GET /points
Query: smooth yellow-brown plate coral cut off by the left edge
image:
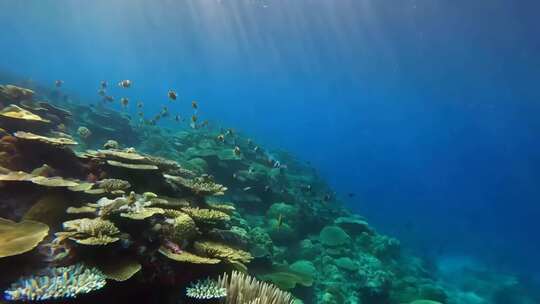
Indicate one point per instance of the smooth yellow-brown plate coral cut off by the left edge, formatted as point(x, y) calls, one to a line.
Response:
point(17, 238)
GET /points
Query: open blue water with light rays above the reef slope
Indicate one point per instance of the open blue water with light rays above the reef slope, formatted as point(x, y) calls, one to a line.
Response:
point(427, 110)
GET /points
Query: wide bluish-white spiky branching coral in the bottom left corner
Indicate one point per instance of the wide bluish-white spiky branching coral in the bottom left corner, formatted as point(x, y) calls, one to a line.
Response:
point(57, 283)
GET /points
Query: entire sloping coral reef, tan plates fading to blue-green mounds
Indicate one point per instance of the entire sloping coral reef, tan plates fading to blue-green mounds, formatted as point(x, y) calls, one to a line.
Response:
point(180, 206)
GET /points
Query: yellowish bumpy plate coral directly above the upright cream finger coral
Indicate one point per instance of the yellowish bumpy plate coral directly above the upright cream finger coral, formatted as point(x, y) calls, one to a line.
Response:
point(222, 252)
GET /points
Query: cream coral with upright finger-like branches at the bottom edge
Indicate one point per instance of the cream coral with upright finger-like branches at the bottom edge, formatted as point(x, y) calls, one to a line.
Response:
point(244, 289)
